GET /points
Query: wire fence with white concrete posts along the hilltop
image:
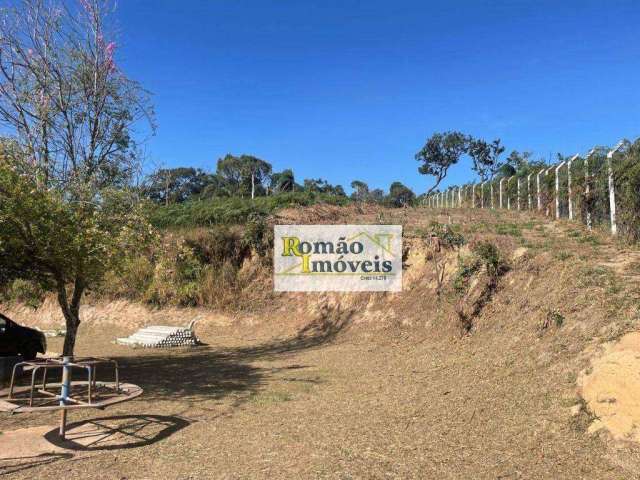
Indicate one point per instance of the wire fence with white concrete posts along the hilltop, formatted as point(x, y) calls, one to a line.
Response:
point(601, 189)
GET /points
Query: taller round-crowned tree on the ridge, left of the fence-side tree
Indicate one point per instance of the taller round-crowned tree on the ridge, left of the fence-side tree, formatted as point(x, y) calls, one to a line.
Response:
point(441, 152)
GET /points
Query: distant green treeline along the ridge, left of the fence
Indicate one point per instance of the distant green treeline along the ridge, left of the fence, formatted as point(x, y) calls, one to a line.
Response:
point(245, 185)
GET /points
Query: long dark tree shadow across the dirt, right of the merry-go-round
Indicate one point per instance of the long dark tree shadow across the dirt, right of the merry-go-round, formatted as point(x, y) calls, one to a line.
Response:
point(207, 373)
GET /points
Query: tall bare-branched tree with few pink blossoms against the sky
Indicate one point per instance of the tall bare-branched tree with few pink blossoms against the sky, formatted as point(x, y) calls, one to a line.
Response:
point(70, 107)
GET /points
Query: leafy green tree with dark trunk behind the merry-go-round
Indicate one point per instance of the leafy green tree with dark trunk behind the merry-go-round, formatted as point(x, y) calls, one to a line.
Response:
point(63, 245)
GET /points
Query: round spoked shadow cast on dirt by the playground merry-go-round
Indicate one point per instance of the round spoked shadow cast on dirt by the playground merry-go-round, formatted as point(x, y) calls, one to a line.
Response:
point(117, 432)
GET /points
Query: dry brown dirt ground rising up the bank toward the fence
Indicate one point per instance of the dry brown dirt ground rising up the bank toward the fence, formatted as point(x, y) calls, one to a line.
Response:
point(391, 390)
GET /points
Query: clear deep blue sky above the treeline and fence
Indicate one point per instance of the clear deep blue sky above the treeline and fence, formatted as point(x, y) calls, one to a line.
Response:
point(349, 90)
